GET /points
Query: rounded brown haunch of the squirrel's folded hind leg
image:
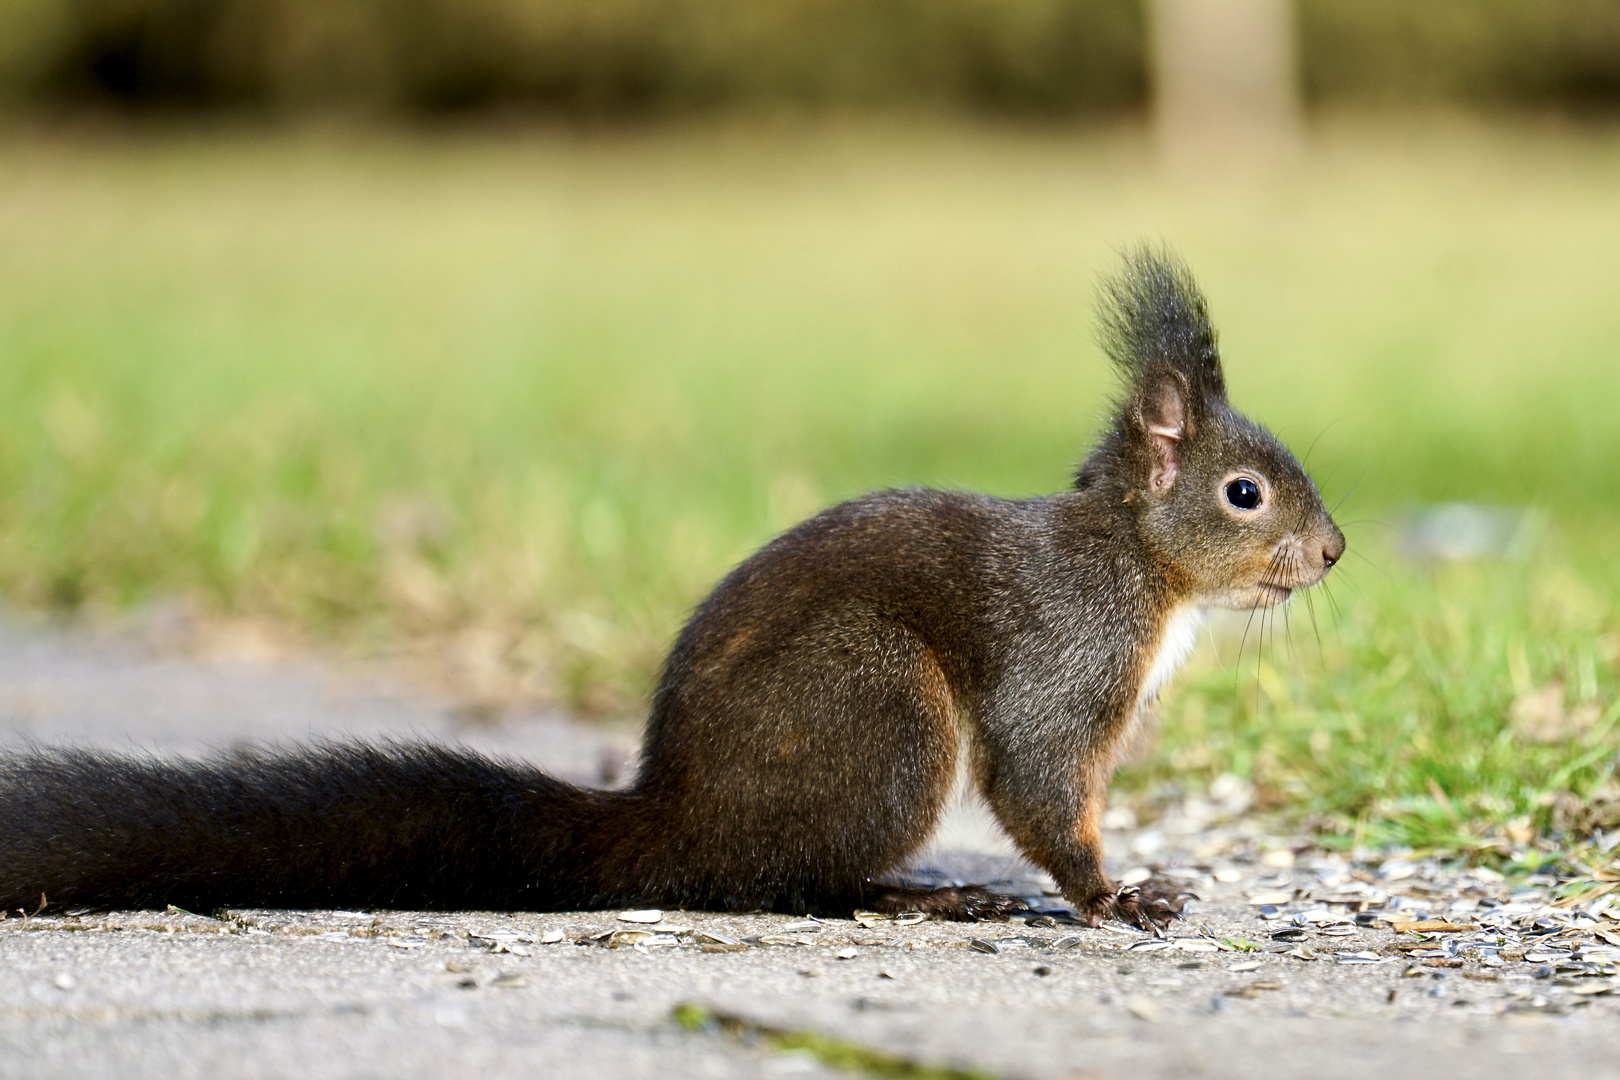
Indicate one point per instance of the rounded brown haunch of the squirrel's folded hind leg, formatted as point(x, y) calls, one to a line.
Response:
point(798, 788)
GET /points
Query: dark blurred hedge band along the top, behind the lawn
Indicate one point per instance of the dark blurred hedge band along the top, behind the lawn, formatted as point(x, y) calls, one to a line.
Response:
point(647, 56)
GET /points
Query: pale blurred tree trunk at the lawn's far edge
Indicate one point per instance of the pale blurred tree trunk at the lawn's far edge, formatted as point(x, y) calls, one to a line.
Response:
point(1226, 80)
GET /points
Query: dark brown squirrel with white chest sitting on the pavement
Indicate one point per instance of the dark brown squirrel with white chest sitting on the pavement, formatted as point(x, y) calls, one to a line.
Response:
point(809, 725)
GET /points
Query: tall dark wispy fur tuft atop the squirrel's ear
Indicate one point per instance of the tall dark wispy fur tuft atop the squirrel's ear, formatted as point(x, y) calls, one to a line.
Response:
point(1153, 317)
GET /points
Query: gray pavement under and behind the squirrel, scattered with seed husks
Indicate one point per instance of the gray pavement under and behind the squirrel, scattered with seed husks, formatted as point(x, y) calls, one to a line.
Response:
point(409, 995)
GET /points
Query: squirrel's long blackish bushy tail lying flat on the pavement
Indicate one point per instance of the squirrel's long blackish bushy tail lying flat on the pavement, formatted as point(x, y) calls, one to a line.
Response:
point(401, 827)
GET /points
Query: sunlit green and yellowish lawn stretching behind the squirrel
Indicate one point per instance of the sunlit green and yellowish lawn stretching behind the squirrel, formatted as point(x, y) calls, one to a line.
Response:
point(516, 401)
